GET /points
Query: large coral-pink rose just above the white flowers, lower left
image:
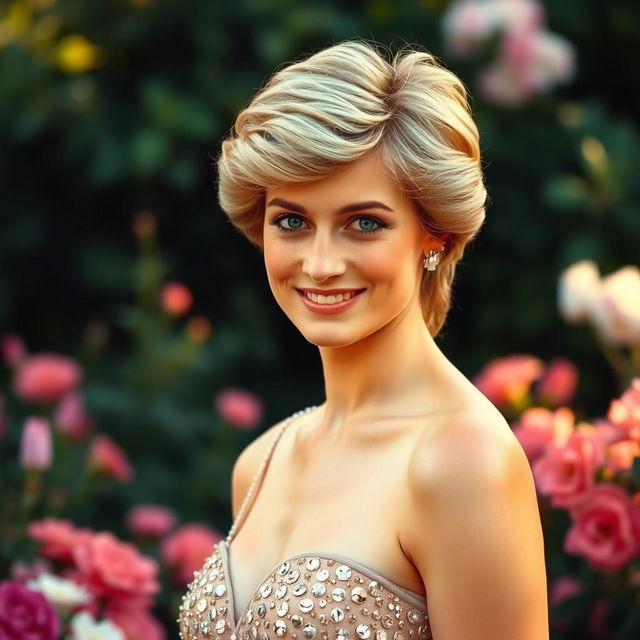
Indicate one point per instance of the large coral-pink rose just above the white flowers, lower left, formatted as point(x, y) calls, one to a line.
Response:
point(114, 568)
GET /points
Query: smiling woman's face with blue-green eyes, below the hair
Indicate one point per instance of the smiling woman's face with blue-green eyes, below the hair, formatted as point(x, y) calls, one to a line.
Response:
point(353, 232)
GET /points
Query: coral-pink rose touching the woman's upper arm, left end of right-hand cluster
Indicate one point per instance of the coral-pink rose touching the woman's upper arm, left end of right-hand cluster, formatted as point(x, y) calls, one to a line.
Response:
point(538, 427)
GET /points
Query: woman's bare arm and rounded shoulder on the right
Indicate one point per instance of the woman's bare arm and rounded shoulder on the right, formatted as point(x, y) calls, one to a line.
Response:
point(477, 537)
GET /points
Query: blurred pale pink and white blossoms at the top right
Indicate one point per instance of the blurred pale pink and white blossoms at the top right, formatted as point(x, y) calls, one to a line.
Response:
point(529, 58)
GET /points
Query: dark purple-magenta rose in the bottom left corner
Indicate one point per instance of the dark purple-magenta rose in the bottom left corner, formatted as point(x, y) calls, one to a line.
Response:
point(26, 614)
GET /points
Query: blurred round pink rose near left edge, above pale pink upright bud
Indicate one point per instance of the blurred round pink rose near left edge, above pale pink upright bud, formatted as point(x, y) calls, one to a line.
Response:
point(46, 377)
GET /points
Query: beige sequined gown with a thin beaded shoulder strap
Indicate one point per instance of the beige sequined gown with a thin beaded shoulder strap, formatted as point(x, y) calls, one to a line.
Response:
point(314, 595)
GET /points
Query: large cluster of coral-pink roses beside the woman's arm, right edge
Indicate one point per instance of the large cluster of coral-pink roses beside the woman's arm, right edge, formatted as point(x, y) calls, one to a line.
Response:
point(585, 468)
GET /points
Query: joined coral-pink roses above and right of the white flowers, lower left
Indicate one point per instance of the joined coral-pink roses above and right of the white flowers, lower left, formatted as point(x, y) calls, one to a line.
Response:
point(120, 580)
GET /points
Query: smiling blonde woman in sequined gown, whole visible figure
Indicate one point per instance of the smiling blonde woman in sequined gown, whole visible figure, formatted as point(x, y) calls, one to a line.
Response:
point(360, 180)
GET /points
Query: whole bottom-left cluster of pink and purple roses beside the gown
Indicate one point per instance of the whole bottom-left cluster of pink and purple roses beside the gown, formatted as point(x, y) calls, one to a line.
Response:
point(116, 581)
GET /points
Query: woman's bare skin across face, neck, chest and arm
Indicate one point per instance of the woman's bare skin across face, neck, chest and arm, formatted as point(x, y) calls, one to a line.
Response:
point(403, 439)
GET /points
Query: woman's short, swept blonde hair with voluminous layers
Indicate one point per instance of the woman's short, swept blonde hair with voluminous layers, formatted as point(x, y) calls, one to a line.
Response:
point(347, 101)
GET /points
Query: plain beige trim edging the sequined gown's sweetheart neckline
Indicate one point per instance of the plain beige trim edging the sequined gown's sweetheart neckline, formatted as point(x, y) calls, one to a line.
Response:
point(225, 551)
